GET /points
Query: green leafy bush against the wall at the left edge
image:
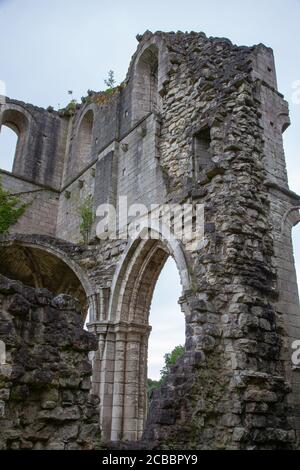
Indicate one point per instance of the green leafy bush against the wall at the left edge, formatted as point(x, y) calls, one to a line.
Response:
point(11, 209)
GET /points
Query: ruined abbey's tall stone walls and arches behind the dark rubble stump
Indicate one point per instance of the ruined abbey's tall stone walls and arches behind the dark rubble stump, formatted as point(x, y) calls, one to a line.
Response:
point(198, 120)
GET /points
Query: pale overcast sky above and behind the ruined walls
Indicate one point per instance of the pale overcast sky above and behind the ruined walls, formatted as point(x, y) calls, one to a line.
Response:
point(51, 46)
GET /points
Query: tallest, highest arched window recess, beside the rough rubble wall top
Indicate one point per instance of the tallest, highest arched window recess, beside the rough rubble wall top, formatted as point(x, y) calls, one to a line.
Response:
point(145, 93)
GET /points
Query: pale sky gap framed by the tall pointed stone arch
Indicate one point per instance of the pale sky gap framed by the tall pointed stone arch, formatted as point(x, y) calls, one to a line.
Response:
point(167, 321)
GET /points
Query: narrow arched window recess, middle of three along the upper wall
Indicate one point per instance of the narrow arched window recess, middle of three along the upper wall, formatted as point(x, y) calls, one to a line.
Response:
point(84, 139)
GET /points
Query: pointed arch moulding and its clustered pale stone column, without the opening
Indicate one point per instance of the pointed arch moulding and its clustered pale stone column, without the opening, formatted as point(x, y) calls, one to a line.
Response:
point(123, 336)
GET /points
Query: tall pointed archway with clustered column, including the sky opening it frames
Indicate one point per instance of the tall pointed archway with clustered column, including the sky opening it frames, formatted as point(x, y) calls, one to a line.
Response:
point(124, 361)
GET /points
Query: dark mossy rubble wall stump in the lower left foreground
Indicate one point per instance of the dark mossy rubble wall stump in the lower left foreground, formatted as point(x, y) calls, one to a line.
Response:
point(45, 382)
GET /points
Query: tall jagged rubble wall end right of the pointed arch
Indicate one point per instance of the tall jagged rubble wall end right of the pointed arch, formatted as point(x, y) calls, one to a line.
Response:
point(232, 387)
